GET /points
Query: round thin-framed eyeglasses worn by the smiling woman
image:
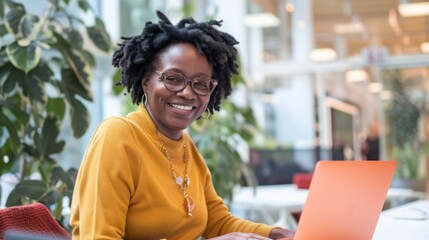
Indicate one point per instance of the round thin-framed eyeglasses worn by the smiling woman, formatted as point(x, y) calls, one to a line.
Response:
point(176, 82)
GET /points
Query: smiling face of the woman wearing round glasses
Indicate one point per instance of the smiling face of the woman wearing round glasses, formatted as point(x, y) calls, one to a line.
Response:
point(173, 111)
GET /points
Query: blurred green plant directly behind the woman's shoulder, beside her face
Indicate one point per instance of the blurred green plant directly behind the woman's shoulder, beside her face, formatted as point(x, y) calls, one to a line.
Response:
point(221, 140)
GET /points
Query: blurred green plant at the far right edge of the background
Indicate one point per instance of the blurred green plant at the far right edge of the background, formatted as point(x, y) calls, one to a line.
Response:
point(403, 115)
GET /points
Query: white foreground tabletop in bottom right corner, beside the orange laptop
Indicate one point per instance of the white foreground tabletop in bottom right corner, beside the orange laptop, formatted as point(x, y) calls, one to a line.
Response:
point(390, 227)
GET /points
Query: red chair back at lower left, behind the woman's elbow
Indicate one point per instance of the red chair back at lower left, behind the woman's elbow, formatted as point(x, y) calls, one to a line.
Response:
point(33, 220)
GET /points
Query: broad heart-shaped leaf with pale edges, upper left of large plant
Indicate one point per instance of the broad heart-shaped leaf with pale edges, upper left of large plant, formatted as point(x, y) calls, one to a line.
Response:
point(24, 58)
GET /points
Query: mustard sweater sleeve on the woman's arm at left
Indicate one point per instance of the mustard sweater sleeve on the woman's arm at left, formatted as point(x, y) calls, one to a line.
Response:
point(105, 182)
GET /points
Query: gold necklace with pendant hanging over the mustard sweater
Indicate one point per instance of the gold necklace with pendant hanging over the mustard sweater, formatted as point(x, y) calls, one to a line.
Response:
point(183, 183)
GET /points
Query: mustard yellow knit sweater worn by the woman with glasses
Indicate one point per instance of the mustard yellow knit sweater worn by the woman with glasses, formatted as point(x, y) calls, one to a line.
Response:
point(125, 188)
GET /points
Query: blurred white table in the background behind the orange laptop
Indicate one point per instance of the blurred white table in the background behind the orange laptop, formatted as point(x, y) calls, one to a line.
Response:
point(273, 204)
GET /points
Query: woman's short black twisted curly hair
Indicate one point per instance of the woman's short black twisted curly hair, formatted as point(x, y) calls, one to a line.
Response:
point(137, 54)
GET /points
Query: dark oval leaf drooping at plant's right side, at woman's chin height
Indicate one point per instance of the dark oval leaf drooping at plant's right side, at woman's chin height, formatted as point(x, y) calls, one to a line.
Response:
point(79, 118)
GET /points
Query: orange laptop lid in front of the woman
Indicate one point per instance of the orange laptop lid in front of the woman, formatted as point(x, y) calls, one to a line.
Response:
point(345, 200)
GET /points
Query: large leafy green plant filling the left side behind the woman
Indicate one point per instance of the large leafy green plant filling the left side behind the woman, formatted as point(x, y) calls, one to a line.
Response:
point(45, 78)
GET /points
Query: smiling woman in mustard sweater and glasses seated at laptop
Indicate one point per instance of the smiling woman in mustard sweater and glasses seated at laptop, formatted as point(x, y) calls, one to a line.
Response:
point(143, 165)
